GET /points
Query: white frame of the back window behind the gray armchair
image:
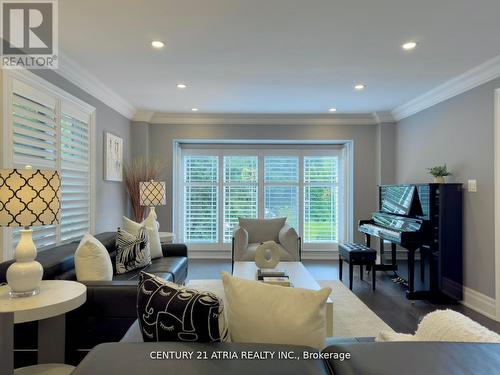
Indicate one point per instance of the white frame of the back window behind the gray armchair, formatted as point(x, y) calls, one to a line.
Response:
point(262, 149)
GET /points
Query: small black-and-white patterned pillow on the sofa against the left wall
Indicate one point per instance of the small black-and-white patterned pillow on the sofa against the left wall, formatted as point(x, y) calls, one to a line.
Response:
point(132, 251)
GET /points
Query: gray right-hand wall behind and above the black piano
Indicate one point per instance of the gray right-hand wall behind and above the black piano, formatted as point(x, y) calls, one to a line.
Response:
point(458, 132)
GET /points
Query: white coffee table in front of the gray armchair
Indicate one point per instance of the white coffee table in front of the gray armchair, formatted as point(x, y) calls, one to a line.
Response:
point(298, 275)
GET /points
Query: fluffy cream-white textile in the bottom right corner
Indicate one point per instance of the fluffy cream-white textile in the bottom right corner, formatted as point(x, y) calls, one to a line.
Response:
point(445, 325)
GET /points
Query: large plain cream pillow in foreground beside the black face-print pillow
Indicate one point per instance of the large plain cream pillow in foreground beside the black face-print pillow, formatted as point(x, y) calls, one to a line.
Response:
point(262, 313)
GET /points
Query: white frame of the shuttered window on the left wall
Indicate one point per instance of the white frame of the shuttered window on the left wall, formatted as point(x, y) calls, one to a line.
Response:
point(30, 79)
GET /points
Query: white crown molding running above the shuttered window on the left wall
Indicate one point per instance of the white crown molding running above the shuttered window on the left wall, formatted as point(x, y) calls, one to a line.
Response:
point(69, 69)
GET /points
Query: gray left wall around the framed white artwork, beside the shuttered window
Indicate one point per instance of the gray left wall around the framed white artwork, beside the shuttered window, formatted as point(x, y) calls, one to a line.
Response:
point(111, 198)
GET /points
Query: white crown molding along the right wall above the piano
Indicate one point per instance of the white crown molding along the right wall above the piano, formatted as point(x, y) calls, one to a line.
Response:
point(462, 83)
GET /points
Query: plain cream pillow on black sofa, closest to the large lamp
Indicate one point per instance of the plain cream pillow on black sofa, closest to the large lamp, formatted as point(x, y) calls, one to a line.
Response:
point(92, 260)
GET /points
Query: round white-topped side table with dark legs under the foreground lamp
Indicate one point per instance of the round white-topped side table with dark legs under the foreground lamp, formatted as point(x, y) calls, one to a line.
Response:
point(56, 298)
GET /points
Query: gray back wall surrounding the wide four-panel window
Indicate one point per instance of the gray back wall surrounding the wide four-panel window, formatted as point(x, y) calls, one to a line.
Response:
point(364, 136)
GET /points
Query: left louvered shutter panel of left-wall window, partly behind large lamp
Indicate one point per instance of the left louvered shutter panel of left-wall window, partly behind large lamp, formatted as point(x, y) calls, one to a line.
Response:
point(35, 142)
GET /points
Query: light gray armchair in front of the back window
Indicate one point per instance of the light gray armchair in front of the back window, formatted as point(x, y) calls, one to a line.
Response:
point(252, 232)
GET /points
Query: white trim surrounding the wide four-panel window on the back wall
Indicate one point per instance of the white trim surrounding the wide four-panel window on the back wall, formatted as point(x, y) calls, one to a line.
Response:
point(259, 148)
